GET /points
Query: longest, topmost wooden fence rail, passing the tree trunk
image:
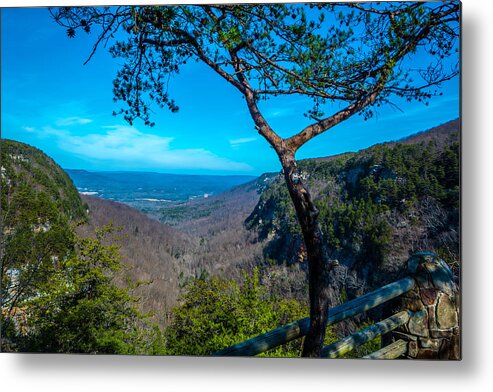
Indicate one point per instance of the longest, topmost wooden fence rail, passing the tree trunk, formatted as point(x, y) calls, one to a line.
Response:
point(297, 329)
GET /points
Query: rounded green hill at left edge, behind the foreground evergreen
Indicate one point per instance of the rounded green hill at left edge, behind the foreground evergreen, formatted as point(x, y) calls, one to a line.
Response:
point(38, 205)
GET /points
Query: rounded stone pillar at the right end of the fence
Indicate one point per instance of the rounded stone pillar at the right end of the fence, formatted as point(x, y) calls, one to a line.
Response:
point(433, 332)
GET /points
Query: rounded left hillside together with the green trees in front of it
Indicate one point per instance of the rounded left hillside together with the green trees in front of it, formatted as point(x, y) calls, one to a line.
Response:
point(58, 291)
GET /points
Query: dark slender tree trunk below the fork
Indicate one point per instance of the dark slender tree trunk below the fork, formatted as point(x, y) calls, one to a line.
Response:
point(318, 263)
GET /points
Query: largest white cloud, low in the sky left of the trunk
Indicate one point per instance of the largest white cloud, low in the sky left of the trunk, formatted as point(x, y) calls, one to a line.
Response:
point(127, 147)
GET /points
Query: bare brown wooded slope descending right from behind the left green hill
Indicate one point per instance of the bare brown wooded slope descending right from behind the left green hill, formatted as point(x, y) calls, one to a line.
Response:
point(153, 252)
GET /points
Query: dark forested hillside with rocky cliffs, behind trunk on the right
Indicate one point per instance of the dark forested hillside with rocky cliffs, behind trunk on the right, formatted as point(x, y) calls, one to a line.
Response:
point(377, 207)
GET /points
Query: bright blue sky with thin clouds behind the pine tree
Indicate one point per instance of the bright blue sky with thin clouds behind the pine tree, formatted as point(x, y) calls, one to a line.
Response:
point(50, 100)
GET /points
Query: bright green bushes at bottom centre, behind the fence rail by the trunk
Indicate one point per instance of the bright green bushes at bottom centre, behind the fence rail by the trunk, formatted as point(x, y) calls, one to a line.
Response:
point(218, 313)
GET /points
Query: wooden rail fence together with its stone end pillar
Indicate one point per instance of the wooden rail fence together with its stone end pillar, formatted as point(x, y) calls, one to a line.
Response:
point(428, 325)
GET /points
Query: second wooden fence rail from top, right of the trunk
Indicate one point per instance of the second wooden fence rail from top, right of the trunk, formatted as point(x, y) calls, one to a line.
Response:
point(363, 336)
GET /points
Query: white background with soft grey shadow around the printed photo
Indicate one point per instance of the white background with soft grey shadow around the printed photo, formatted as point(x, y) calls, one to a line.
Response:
point(88, 373)
